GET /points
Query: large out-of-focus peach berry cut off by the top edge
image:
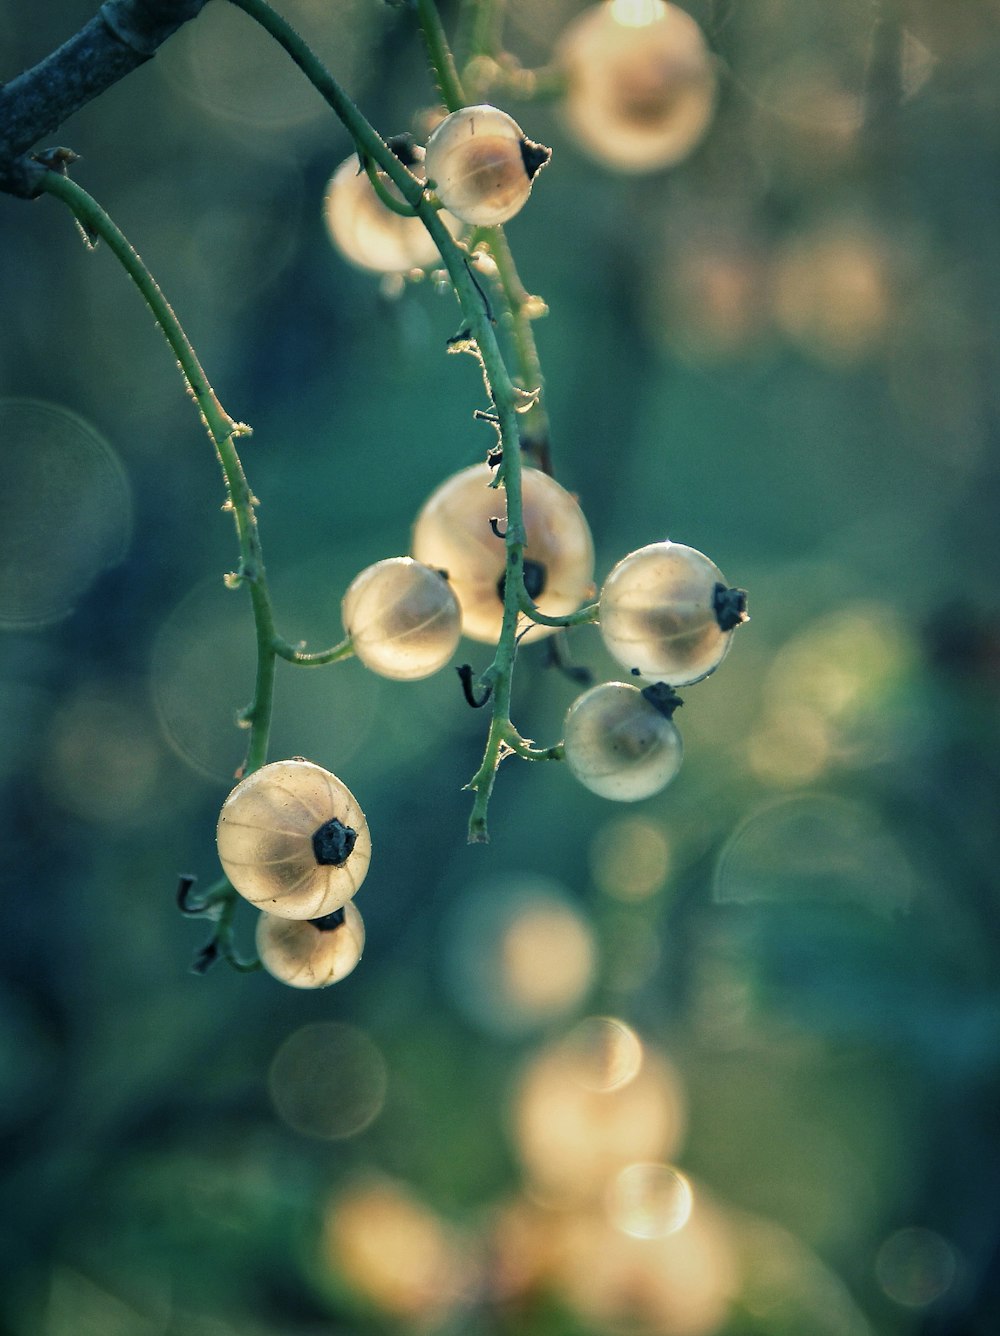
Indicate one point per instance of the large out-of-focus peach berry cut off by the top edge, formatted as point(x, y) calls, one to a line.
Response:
point(642, 83)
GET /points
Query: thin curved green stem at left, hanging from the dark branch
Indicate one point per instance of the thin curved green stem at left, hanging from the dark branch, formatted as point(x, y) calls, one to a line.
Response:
point(224, 434)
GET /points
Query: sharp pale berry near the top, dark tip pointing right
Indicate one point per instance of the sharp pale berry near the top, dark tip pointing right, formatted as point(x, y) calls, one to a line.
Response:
point(483, 166)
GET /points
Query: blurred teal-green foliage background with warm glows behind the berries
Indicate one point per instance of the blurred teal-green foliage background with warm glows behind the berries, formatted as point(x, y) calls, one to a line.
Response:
point(783, 352)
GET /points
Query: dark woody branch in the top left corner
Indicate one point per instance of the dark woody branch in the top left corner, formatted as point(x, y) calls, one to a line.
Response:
point(122, 37)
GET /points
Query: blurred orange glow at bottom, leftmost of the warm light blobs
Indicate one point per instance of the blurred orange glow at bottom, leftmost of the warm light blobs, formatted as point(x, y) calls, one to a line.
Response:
point(396, 1251)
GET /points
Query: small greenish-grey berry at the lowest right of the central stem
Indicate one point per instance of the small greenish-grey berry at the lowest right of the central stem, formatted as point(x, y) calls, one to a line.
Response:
point(619, 745)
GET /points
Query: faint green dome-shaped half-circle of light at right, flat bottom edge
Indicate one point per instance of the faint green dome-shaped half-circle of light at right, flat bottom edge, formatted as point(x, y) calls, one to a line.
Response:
point(815, 848)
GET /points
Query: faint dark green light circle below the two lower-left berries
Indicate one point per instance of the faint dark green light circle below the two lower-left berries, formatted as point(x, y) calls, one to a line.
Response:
point(328, 1081)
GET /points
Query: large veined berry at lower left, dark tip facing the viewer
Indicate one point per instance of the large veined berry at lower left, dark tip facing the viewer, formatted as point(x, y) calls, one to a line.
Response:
point(294, 841)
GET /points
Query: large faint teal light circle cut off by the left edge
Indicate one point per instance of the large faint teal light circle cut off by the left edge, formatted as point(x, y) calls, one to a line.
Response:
point(66, 512)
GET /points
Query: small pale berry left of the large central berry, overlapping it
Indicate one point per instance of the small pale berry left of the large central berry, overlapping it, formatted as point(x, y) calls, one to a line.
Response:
point(403, 618)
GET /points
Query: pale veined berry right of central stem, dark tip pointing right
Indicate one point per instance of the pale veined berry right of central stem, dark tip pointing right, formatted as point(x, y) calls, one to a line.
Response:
point(668, 615)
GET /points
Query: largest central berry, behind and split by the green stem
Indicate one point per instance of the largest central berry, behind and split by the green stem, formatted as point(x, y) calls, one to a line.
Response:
point(453, 534)
